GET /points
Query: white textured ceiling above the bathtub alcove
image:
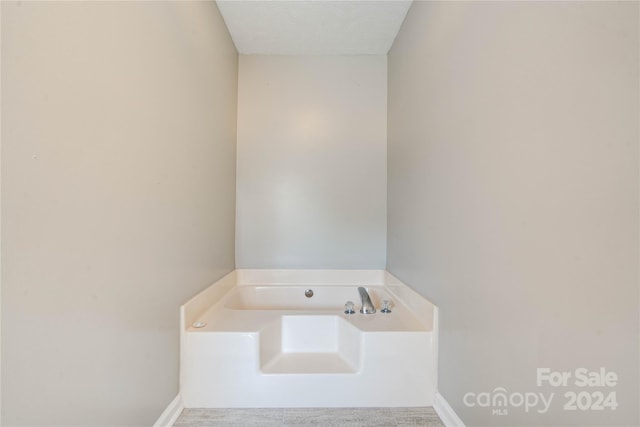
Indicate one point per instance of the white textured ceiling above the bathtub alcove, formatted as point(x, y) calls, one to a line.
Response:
point(313, 27)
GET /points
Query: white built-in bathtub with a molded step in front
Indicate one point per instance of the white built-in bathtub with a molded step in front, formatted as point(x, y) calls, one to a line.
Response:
point(256, 339)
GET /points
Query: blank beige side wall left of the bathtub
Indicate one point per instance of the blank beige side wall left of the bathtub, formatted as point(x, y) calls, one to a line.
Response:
point(118, 169)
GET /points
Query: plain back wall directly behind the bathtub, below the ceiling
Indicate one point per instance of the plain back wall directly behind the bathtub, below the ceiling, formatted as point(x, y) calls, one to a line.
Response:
point(311, 162)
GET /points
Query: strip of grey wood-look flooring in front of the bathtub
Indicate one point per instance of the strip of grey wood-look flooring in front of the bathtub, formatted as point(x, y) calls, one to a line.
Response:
point(299, 417)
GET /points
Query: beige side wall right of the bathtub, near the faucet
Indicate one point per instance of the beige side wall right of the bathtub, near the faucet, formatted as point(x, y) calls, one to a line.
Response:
point(513, 195)
